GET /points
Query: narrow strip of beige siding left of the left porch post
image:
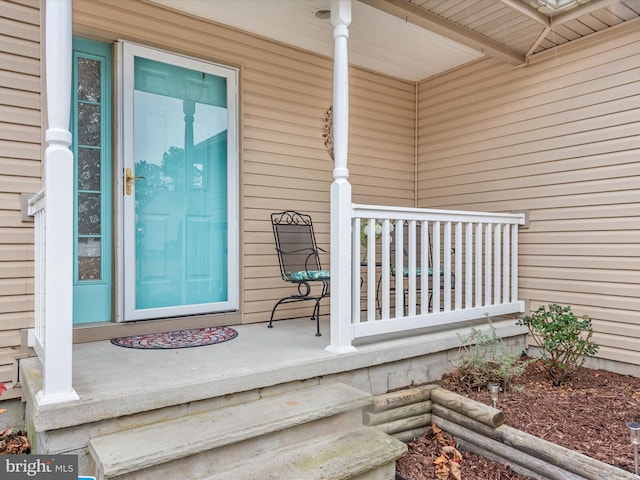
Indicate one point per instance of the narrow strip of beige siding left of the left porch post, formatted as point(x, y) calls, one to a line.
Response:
point(20, 172)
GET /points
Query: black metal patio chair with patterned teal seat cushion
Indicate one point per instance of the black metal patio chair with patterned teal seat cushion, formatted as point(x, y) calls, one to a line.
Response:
point(299, 259)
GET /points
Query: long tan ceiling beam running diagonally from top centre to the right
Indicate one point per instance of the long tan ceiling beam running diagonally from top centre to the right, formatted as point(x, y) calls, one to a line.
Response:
point(422, 18)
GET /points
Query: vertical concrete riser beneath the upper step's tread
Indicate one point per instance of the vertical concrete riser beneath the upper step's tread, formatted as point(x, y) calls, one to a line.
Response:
point(220, 458)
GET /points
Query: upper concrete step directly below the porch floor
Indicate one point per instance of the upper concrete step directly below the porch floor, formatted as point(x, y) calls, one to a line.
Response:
point(191, 446)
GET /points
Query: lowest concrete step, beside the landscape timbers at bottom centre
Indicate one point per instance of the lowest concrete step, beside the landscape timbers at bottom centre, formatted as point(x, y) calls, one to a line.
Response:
point(364, 453)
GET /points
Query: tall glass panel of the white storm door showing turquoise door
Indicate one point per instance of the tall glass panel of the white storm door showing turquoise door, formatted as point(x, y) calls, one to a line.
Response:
point(180, 154)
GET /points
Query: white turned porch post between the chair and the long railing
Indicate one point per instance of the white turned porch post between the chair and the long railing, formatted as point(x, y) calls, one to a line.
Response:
point(341, 335)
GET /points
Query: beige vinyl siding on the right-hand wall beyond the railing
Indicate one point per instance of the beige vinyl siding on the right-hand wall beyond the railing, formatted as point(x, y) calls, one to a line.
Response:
point(561, 139)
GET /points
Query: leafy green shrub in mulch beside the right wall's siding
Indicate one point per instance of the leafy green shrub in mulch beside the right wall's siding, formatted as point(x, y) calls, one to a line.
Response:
point(563, 339)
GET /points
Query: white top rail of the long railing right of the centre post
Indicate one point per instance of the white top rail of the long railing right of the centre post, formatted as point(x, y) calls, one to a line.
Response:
point(428, 214)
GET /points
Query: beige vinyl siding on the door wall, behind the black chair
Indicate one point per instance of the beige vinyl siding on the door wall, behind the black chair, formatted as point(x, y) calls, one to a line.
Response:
point(284, 93)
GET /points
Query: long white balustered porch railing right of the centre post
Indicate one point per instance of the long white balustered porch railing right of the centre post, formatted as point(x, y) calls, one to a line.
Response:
point(431, 267)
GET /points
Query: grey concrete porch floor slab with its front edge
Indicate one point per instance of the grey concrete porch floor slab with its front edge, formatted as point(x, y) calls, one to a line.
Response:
point(113, 381)
